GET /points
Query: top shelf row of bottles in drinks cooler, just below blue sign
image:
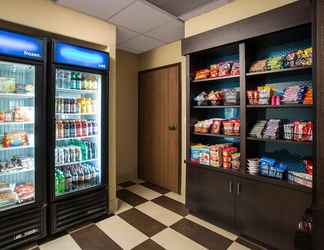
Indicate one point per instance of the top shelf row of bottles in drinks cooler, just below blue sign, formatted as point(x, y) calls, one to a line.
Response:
point(76, 80)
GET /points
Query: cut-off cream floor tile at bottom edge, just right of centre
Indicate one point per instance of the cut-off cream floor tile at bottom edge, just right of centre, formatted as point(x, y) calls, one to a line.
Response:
point(172, 240)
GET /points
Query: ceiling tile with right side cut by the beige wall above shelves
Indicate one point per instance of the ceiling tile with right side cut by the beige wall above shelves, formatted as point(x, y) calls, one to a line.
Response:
point(169, 32)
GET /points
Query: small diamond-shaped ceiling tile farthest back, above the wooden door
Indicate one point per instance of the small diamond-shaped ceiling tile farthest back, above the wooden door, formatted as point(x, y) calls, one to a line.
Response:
point(142, 44)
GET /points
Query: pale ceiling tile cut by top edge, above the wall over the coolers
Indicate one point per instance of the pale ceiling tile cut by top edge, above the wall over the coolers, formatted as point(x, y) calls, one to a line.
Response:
point(103, 9)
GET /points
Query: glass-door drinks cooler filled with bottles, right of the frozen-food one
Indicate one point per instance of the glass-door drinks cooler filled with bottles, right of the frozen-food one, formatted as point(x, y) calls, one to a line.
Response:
point(79, 135)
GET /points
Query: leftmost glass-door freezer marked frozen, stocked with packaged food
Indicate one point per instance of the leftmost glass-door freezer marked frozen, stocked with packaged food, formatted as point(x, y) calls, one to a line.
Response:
point(22, 132)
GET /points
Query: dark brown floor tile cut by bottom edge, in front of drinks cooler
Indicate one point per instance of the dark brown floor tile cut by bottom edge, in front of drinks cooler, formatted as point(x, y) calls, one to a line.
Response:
point(92, 238)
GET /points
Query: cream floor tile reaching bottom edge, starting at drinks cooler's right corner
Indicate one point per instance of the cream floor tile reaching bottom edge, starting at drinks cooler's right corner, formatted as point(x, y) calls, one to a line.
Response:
point(121, 232)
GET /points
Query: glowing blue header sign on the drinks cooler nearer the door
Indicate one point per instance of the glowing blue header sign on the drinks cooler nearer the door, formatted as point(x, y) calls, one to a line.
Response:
point(78, 56)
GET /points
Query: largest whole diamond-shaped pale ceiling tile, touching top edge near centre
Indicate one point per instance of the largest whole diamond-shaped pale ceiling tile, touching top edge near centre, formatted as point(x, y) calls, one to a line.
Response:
point(141, 17)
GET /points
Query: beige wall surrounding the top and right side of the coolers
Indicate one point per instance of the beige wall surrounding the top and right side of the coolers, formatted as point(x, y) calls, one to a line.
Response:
point(45, 15)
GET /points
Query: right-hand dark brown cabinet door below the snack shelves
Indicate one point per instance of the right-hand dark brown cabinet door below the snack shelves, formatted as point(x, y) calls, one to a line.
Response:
point(269, 213)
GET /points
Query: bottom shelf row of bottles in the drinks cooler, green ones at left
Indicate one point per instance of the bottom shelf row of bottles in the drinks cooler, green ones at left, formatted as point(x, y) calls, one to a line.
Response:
point(75, 177)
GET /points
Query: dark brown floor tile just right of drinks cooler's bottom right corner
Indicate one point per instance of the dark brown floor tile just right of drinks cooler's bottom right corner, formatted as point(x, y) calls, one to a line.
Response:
point(142, 222)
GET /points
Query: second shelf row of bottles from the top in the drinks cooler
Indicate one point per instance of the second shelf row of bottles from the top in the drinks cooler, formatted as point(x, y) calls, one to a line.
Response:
point(75, 105)
